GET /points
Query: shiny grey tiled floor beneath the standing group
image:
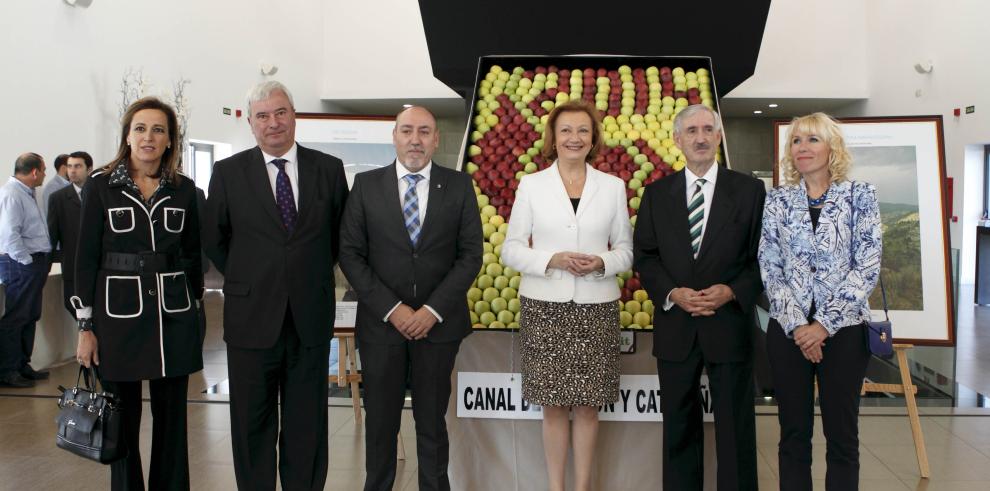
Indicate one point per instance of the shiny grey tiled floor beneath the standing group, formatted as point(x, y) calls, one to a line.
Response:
point(958, 444)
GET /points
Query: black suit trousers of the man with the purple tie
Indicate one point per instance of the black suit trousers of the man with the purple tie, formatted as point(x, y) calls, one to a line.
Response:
point(290, 377)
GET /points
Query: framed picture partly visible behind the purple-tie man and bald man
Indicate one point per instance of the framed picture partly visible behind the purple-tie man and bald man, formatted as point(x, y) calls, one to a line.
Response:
point(362, 142)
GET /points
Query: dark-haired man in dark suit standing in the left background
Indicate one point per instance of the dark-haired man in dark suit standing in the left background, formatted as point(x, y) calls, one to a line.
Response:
point(63, 221)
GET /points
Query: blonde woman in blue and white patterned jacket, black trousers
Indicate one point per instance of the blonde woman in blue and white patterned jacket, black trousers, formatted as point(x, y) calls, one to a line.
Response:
point(820, 259)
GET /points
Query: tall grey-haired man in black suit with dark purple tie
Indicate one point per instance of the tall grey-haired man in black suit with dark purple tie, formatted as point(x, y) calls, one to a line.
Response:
point(271, 228)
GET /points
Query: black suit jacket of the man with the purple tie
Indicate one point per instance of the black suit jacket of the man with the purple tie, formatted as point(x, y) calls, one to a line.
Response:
point(266, 270)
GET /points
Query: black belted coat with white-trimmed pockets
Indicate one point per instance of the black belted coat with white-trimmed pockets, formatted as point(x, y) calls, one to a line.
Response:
point(145, 323)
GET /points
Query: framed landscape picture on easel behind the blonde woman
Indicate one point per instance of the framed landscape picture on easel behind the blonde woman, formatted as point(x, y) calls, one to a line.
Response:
point(904, 158)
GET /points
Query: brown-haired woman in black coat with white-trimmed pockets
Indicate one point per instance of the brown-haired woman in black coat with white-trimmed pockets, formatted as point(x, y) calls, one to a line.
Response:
point(138, 286)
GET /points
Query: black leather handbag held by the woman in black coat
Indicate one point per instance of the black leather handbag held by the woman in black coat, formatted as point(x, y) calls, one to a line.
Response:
point(90, 422)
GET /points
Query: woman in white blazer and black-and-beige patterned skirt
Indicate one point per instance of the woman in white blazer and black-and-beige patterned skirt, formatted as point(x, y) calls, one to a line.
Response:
point(569, 235)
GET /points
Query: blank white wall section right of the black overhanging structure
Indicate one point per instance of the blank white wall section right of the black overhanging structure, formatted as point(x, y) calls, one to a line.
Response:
point(811, 50)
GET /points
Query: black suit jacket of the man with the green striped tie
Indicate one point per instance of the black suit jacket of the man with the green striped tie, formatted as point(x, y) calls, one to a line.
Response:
point(728, 255)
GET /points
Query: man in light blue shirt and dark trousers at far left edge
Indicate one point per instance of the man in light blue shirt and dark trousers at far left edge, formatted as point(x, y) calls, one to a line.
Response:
point(24, 248)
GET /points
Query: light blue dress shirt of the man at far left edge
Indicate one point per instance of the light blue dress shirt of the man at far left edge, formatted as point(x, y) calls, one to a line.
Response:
point(22, 227)
